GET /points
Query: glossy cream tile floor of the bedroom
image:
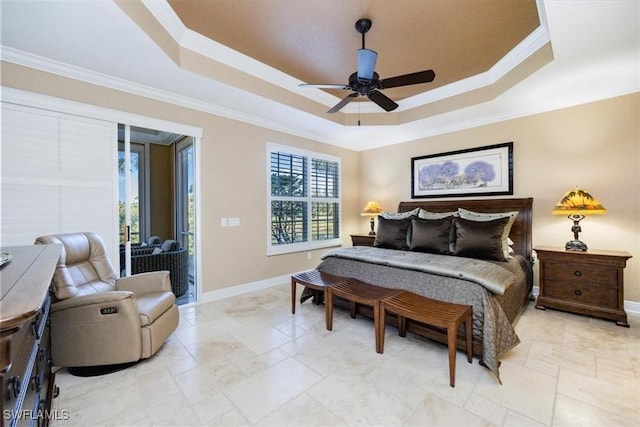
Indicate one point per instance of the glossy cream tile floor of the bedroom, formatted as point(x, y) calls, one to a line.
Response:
point(248, 361)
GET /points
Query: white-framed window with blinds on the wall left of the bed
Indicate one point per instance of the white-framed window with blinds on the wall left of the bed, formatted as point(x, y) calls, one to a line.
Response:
point(304, 200)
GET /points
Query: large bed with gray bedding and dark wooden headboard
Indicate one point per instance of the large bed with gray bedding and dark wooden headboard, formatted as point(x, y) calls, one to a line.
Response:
point(498, 288)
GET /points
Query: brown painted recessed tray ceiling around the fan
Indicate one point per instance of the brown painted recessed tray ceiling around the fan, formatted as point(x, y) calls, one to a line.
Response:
point(316, 41)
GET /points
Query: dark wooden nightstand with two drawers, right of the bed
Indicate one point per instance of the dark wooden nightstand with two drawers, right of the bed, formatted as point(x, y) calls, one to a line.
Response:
point(590, 282)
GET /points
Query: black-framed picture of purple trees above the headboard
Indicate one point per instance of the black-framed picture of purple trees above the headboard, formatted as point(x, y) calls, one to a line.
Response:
point(481, 171)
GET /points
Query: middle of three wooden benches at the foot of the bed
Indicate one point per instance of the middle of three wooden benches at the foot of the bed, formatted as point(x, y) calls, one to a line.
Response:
point(357, 292)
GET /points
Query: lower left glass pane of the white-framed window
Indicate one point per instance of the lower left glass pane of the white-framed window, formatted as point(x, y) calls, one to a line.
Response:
point(288, 222)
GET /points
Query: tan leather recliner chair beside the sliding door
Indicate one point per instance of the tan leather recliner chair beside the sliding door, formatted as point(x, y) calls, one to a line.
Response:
point(99, 319)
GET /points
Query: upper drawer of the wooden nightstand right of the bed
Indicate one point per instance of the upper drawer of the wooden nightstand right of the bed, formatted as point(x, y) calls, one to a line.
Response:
point(596, 275)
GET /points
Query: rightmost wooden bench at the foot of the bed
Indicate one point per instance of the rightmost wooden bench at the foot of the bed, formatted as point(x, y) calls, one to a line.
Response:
point(407, 305)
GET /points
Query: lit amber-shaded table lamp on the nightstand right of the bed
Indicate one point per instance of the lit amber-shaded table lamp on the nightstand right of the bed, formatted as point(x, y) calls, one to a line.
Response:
point(576, 204)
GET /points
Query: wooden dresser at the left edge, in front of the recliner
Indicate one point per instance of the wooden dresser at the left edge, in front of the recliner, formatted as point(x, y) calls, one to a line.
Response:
point(28, 385)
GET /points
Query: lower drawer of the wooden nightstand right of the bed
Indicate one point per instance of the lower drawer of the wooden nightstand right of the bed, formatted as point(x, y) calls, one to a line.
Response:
point(580, 293)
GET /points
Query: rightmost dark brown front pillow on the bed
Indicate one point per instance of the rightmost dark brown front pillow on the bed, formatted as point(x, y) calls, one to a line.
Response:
point(480, 239)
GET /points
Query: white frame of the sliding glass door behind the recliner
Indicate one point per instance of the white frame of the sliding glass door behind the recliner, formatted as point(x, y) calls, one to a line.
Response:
point(36, 100)
